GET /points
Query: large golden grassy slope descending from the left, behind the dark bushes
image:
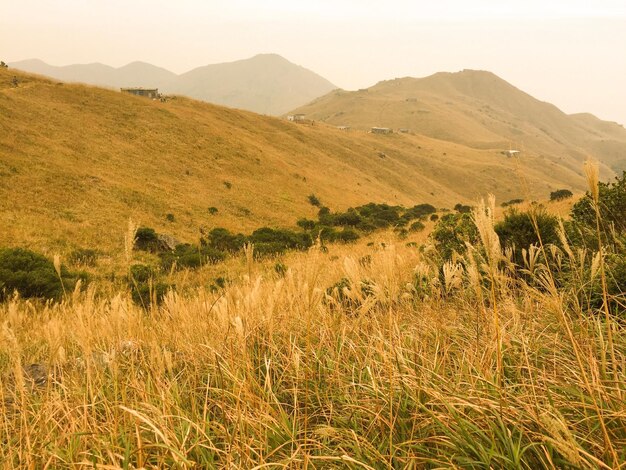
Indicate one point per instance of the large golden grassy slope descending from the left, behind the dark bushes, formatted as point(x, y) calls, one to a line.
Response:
point(77, 161)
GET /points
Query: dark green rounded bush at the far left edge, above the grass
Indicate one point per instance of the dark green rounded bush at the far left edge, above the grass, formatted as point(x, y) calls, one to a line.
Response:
point(32, 275)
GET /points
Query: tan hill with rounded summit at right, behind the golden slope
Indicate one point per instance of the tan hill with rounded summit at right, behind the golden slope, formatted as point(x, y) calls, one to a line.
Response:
point(480, 110)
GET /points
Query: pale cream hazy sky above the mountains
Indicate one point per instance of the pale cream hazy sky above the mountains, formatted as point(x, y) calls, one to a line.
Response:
point(568, 52)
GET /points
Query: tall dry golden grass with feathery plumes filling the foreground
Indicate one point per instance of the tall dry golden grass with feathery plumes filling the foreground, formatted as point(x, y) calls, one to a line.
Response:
point(276, 372)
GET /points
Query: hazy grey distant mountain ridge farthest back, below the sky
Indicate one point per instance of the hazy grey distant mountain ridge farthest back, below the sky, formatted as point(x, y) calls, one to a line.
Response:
point(266, 83)
